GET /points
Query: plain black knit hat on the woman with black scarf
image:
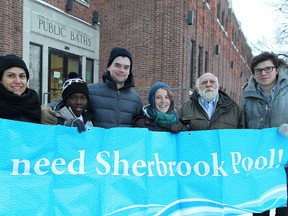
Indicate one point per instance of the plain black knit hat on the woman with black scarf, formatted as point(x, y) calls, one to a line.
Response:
point(11, 60)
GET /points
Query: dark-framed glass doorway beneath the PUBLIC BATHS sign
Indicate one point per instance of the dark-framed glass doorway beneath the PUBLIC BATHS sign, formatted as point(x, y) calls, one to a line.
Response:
point(60, 64)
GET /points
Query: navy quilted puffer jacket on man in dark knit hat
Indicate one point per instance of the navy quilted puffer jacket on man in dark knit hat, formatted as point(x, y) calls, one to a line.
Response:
point(114, 107)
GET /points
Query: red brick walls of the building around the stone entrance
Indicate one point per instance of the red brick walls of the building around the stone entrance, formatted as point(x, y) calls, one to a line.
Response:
point(157, 34)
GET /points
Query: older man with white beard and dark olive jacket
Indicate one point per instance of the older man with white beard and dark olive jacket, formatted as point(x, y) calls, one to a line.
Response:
point(210, 108)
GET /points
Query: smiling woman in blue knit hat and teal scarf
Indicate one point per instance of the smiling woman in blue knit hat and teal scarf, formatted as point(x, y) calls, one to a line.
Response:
point(160, 114)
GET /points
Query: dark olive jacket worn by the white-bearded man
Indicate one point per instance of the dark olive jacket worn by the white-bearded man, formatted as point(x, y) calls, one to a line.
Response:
point(227, 114)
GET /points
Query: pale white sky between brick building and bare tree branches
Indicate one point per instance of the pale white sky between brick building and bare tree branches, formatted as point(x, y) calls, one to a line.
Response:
point(257, 19)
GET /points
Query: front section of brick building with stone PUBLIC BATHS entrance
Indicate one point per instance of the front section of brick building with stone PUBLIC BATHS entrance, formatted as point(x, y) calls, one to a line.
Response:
point(51, 41)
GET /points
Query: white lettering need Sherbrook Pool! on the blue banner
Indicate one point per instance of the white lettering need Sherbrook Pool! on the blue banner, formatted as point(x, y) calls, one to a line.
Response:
point(108, 163)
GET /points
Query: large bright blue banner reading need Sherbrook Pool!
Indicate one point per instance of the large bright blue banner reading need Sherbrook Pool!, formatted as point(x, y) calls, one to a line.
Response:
point(54, 170)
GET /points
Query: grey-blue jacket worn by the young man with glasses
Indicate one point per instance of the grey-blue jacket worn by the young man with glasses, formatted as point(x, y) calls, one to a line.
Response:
point(258, 113)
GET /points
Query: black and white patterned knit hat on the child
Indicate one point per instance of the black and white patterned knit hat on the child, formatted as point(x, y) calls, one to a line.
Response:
point(73, 86)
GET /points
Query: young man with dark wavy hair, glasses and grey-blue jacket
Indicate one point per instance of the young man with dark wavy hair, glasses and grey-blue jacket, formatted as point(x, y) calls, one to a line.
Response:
point(265, 99)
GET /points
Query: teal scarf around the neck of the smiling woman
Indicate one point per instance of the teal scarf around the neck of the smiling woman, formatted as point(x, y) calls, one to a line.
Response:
point(162, 119)
